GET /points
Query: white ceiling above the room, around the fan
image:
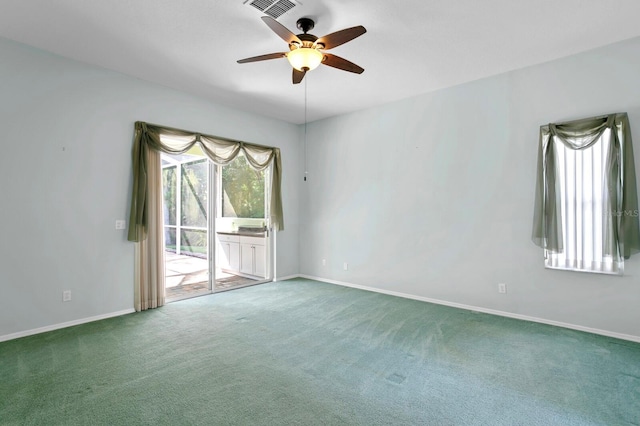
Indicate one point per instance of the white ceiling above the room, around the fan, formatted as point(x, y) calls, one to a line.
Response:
point(411, 46)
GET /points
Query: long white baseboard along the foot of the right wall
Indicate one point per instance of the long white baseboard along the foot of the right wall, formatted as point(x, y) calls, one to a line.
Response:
point(607, 333)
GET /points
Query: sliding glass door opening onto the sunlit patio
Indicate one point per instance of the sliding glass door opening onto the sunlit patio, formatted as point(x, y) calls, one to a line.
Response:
point(228, 249)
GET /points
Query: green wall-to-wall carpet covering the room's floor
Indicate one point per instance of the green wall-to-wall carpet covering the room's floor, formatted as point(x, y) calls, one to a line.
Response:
point(300, 352)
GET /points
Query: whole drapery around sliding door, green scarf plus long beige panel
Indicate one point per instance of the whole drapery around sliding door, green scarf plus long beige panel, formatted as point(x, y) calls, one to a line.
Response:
point(146, 220)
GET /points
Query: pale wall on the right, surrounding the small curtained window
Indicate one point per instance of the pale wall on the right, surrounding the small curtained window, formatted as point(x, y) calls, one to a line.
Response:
point(432, 197)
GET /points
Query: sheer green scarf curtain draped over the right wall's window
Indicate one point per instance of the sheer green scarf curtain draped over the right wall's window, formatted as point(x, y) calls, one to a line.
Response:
point(622, 236)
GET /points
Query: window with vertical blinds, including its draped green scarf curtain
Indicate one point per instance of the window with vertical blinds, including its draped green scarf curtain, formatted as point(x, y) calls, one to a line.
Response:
point(586, 216)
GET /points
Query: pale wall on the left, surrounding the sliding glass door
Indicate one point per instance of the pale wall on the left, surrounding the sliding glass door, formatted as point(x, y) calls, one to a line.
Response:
point(65, 173)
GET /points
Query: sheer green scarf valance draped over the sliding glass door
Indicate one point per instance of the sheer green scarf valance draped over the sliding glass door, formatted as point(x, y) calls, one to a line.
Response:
point(219, 150)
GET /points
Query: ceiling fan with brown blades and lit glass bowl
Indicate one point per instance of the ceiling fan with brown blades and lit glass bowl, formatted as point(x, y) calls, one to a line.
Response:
point(306, 51)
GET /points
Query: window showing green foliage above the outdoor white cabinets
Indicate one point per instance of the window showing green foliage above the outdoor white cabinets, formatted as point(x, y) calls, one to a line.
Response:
point(243, 190)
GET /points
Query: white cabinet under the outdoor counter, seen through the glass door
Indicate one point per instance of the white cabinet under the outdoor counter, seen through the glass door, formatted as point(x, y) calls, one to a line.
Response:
point(242, 254)
